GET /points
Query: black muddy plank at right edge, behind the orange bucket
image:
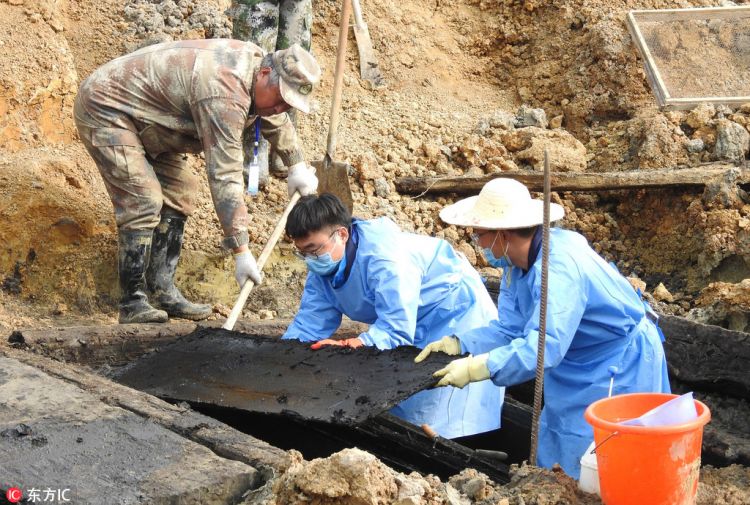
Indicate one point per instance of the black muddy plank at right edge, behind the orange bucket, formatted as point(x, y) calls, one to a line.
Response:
point(710, 358)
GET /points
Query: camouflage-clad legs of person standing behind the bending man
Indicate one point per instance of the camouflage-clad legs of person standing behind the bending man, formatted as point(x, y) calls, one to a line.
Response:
point(273, 25)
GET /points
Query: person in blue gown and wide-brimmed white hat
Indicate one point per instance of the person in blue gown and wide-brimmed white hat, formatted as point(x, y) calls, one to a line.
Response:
point(595, 320)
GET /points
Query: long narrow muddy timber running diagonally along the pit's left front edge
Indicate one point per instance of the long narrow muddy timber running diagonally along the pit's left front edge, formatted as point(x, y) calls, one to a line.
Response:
point(217, 436)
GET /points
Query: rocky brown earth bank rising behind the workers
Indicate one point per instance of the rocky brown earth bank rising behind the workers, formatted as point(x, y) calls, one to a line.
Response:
point(457, 73)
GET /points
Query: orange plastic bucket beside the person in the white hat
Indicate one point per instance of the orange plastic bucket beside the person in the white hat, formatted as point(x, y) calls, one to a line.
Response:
point(645, 465)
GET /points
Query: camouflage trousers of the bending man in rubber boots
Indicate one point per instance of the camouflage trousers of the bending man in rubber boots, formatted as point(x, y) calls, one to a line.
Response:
point(138, 184)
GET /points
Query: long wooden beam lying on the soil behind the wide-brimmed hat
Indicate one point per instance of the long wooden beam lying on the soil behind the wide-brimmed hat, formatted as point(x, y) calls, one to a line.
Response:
point(694, 177)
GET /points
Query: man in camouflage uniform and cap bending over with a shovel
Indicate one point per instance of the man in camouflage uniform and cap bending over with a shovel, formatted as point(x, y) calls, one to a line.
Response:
point(139, 113)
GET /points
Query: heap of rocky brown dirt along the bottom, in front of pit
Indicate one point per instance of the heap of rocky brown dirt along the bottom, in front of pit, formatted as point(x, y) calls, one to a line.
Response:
point(356, 477)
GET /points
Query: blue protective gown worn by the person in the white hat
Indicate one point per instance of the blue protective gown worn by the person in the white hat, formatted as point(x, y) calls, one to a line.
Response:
point(594, 320)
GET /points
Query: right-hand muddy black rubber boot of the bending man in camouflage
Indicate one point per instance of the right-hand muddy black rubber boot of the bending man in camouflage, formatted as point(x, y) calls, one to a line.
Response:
point(165, 253)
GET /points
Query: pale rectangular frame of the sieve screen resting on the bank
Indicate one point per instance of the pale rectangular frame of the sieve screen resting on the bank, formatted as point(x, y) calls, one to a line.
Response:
point(660, 90)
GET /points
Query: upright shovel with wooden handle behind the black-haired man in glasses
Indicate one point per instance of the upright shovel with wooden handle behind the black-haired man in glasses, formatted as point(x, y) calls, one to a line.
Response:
point(334, 177)
